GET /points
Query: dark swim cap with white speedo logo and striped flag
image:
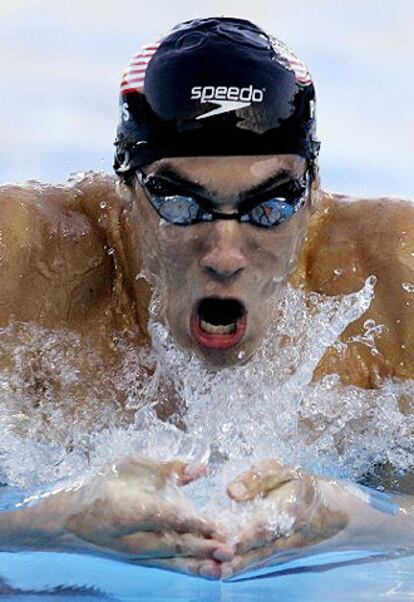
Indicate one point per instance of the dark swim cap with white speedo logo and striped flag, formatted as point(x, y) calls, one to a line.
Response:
point(216, 86)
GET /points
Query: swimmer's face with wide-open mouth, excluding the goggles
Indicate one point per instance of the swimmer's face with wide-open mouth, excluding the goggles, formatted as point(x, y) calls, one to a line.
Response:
point(221, 277)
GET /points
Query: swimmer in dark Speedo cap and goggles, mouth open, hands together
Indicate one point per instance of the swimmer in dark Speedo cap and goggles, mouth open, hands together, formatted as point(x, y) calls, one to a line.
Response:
point(218, 200)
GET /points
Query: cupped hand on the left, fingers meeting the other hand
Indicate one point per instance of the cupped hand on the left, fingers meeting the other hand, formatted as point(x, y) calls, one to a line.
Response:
point(136, 510)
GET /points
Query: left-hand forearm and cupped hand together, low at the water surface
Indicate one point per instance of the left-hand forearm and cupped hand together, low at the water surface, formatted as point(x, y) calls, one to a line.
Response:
point(130, 510)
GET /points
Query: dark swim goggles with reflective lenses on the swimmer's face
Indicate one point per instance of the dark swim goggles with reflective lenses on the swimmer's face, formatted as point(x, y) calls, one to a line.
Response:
point(176, 206)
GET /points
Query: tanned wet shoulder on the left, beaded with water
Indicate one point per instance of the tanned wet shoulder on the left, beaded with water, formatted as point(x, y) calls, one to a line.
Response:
point(53, 253)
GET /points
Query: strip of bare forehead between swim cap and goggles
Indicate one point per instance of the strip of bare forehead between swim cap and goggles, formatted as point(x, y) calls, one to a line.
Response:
point(229, 175)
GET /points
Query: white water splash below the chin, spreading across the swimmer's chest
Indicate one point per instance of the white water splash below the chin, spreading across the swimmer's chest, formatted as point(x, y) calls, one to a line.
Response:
point(231, 418)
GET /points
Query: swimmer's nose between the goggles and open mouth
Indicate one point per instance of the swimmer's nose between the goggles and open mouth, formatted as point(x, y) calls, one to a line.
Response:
point(223, 258)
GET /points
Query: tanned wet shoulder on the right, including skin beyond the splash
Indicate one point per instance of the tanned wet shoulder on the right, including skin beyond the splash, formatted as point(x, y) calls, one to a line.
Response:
point(353, 240)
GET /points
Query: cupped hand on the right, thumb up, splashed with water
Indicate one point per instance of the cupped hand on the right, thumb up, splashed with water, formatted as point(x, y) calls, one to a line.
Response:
point(292, 509)
